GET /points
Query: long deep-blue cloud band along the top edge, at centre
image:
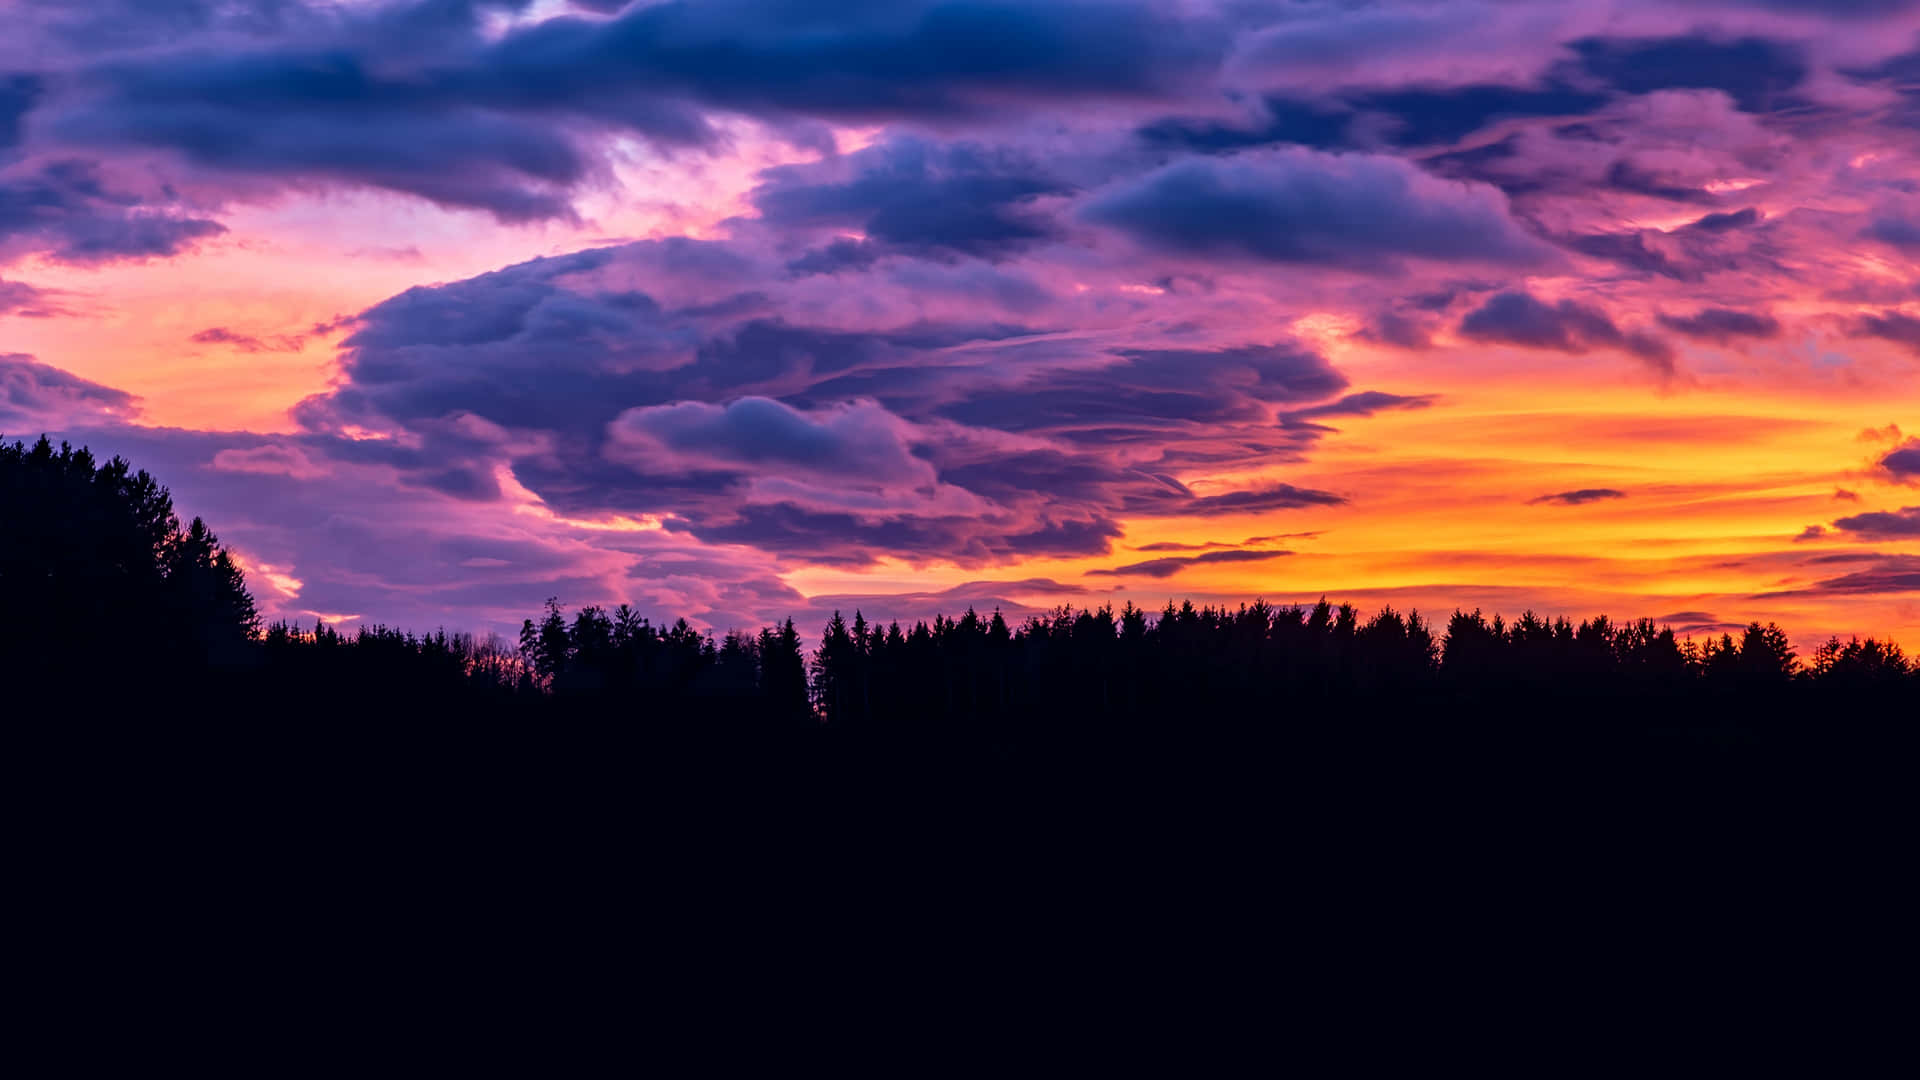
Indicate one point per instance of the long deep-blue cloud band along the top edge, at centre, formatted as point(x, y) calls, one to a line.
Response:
point(863, 61)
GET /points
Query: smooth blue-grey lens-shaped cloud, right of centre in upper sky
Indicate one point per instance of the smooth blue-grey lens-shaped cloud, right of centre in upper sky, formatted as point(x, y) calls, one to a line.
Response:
point(1358, 212)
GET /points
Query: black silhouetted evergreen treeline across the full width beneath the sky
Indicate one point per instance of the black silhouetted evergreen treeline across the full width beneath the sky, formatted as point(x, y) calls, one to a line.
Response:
point(95, 552)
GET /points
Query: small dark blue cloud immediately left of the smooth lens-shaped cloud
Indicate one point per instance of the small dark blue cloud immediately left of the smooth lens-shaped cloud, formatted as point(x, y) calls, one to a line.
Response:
point(915, 195)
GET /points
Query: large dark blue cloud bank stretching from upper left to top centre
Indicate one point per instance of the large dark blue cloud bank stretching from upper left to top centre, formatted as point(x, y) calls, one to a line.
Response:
point(423, 99)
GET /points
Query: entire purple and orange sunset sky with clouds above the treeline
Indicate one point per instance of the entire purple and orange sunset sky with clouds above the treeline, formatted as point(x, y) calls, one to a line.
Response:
point(736, 310)
